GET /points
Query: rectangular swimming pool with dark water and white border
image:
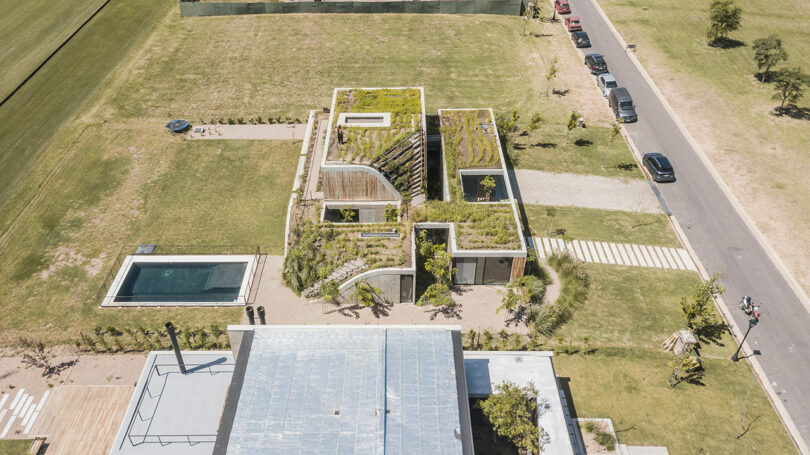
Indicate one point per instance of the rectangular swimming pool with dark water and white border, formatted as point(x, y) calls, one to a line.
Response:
point(182, 280)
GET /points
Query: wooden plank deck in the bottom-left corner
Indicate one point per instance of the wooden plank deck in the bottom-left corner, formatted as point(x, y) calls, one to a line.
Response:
point(83, 419)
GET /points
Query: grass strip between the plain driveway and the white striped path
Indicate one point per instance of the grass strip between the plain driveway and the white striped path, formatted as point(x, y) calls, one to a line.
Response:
point(602, 225)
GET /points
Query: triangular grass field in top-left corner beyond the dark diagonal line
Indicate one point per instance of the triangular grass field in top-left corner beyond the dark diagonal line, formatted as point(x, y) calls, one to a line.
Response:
point(30, 31)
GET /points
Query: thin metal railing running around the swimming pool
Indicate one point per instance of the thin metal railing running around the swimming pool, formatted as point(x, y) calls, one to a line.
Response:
point(178, 250)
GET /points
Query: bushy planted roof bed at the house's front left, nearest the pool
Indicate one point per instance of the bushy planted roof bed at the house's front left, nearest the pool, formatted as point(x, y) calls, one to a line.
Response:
point(320, 248)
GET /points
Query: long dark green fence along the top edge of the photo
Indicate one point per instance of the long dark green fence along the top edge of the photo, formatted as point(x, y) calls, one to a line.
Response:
point(499, 7)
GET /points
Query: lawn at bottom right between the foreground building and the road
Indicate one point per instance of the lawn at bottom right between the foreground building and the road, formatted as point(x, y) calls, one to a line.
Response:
point(630, 387)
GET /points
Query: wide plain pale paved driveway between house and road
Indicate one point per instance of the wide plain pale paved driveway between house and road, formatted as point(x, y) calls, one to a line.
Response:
point(589, 191)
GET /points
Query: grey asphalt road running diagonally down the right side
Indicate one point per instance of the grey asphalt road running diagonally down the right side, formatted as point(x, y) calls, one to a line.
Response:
point(719, 236)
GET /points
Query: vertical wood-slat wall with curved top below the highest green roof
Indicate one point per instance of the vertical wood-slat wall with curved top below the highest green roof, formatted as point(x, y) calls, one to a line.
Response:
point(356, 183)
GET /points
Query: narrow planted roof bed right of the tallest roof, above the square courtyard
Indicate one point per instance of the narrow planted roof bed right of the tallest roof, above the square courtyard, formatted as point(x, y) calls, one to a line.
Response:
point(469, 140)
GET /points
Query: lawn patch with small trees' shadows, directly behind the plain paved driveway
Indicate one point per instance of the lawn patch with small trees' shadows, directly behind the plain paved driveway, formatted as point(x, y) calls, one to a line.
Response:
point(582, 151)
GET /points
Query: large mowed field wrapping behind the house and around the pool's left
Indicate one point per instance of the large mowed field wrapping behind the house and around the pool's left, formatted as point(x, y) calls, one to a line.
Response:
point(102, 171)
